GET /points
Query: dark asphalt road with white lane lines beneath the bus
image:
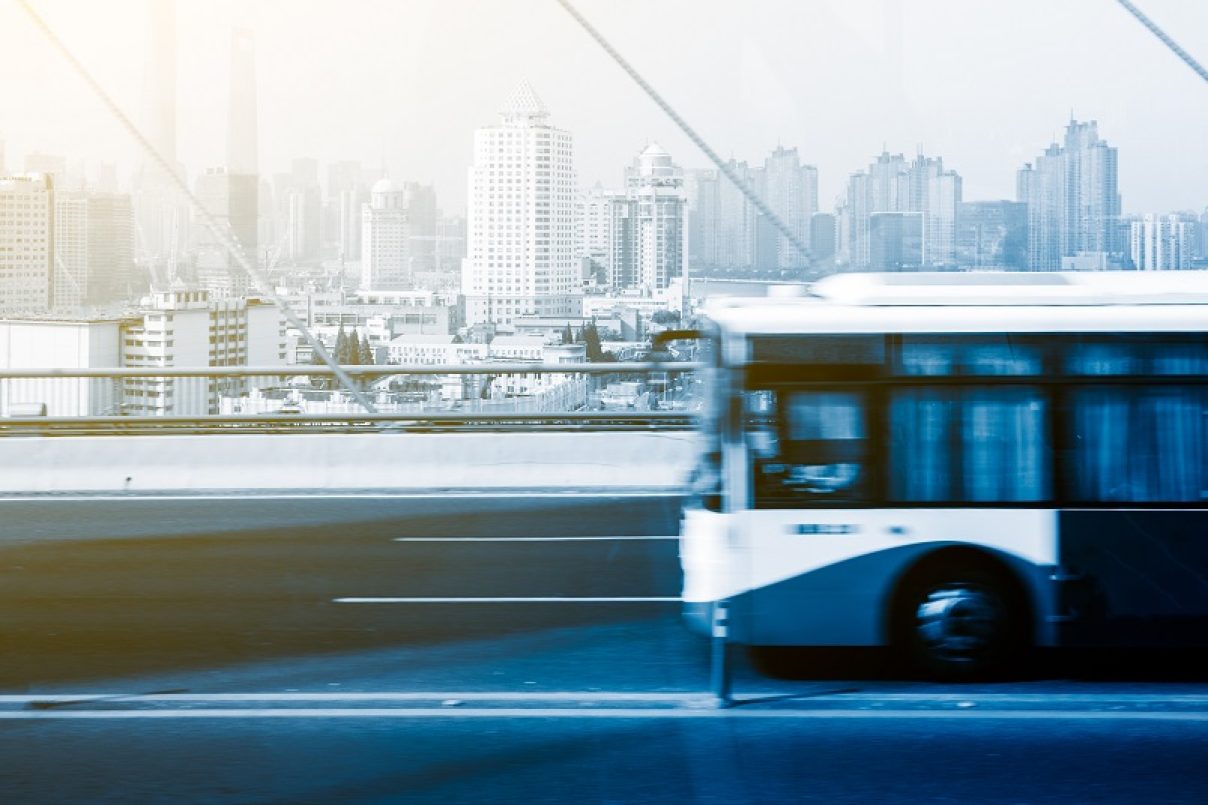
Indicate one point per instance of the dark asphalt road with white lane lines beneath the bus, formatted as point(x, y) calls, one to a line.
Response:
point(303, 650)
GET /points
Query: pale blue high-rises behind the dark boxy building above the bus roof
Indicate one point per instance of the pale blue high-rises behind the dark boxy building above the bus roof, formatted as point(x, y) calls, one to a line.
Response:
point(892, 186)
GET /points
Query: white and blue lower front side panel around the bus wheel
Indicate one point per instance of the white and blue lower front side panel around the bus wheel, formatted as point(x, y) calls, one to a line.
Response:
point(817, 577)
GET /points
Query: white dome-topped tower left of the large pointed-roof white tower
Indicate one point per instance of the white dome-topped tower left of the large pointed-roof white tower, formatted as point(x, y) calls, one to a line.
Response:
point(386, 263)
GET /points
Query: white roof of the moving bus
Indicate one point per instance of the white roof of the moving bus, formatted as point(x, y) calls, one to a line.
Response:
point(979, 303)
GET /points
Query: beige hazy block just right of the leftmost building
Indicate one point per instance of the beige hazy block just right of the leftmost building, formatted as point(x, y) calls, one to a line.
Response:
point(94, 251)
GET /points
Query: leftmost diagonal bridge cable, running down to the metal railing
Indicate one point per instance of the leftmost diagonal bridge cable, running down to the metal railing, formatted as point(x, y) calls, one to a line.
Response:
point(228, 239)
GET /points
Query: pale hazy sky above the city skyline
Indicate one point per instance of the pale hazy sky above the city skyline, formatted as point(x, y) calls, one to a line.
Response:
point(985, 85)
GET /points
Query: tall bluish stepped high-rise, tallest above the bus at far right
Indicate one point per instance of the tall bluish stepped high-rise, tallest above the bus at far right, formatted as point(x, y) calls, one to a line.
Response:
point(1073, 199)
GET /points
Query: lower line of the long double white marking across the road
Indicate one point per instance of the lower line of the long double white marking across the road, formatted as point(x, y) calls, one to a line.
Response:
point(602, 714)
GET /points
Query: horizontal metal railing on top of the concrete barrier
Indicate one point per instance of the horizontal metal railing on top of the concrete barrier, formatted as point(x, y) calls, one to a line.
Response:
point(513, 396)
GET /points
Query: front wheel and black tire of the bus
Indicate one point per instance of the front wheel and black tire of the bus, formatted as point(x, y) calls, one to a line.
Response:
point(961, 619)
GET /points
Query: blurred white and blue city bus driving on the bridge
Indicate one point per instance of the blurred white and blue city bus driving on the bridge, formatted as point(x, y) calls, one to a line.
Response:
point(959, 466)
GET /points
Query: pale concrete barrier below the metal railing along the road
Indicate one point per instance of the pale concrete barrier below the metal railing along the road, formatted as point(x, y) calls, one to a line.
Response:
point(402, 462)
